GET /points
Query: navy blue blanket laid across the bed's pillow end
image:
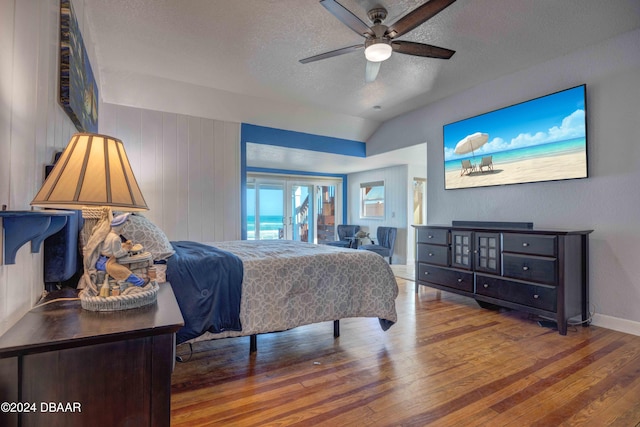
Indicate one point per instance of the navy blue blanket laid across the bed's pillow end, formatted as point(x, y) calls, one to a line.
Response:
point(207, 283)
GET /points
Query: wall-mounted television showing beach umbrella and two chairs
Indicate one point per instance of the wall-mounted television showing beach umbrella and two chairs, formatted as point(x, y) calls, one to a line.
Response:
point(543, 139)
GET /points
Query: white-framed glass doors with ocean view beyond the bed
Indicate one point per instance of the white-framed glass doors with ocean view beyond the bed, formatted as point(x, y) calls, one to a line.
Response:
point(291, 209)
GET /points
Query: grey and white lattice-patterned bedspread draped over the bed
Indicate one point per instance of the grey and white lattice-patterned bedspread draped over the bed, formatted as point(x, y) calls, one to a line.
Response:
point(288, 284)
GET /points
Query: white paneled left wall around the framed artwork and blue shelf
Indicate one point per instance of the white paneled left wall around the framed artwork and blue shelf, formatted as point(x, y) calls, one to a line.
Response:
point(32, 127)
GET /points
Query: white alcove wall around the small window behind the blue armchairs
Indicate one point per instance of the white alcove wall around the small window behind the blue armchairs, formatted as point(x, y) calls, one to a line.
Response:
point(395, 199)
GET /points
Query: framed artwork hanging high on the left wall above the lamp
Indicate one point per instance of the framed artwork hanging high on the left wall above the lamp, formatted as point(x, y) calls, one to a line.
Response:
point(78, 88)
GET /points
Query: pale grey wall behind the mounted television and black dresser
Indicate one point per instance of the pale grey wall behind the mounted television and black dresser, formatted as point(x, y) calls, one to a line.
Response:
point(607, 202)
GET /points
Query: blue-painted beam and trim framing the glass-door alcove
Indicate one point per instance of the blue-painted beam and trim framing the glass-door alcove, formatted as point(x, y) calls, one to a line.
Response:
point(291, 139)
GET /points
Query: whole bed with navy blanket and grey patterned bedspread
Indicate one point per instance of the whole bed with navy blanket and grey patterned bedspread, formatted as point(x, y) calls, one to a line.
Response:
point(284, 284)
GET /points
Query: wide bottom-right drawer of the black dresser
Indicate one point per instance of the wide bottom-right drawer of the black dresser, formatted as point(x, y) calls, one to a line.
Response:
point(542, 297)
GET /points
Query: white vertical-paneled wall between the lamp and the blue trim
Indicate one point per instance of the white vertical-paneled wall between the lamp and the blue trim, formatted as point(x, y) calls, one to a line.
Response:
point(188, 169)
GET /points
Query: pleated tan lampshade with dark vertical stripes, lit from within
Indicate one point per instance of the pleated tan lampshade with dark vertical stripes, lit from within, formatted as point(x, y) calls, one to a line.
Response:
point(93, 171)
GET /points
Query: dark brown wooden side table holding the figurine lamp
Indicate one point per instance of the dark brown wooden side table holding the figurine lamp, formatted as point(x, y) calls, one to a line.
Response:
point(61, 365)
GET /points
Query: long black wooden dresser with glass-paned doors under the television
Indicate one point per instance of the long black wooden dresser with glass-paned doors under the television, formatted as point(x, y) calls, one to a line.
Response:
point(513, 265)
